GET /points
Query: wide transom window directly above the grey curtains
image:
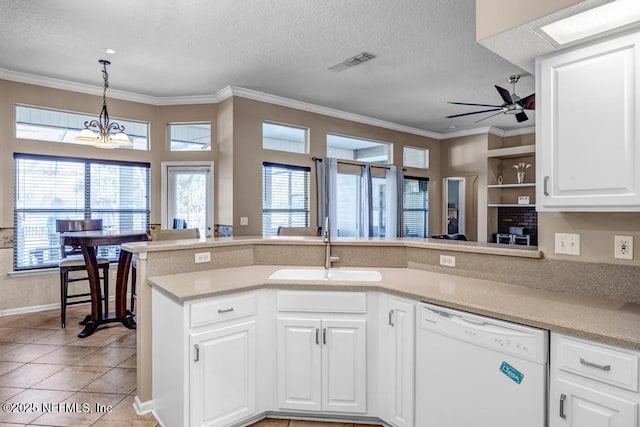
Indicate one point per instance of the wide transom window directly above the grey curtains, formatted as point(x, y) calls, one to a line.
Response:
point(363, 150)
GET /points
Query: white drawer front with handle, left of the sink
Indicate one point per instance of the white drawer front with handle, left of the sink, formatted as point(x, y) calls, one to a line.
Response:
point(221, 309)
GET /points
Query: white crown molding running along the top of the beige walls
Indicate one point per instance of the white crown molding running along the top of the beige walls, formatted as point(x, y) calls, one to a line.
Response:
point(230, 91)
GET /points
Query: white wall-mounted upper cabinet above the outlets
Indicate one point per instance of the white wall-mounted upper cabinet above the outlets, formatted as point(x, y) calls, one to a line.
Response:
point(587, 130)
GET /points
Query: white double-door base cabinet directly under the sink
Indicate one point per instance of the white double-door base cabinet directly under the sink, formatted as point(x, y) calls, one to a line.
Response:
point(322, 358)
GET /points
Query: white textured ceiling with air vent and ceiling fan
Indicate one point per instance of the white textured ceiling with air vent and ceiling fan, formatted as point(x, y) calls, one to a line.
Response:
point(426, 52)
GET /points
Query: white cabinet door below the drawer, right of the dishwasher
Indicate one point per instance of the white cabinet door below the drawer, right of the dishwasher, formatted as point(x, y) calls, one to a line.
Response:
point(573, 405)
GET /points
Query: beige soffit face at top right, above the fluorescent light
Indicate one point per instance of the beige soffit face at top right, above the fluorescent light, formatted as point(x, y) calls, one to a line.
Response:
point(496, 16)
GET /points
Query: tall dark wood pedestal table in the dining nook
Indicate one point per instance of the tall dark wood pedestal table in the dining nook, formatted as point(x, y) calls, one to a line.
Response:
point(89, 241)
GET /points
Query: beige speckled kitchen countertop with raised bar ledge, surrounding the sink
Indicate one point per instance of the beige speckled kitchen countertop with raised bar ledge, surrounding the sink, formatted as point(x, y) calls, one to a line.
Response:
point(594, 301)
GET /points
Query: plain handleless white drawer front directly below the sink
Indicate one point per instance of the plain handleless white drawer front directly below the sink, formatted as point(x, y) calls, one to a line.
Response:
point(322, 301)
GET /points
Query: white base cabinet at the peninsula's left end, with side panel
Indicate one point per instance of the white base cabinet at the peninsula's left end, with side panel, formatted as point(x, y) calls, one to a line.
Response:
point(204, 359)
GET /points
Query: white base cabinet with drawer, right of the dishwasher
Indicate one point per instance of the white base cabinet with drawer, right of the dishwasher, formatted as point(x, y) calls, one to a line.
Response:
point(592, 384)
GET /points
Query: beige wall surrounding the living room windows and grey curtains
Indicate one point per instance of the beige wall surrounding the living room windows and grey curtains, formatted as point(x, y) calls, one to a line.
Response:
point(248, 116)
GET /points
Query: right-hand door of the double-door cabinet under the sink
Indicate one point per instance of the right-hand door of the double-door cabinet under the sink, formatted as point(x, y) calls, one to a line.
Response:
point(344, 365)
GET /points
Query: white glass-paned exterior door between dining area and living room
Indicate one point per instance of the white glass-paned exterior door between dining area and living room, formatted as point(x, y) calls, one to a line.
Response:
point(189, 196)
